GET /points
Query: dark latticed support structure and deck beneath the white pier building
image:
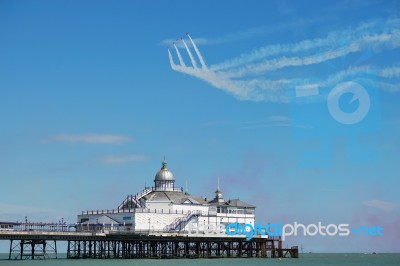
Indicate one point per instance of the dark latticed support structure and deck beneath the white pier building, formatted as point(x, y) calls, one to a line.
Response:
point(128, 245)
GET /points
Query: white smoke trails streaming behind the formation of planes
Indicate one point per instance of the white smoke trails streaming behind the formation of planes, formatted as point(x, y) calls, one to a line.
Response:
point(243, 77)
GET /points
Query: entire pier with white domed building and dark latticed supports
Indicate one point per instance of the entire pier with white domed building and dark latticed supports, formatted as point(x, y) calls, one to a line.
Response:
point(159, 222)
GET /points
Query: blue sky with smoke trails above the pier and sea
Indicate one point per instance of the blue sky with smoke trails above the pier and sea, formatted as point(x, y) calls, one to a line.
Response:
point(90, 104)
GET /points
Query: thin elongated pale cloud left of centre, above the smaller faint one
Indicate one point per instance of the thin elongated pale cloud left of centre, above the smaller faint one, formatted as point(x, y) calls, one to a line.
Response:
point(89, 138)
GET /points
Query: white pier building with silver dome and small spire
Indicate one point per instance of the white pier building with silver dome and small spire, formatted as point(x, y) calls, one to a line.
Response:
point(166, 207)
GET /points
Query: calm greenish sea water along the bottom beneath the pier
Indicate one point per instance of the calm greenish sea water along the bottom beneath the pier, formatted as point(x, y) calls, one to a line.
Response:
point(316, 259)
